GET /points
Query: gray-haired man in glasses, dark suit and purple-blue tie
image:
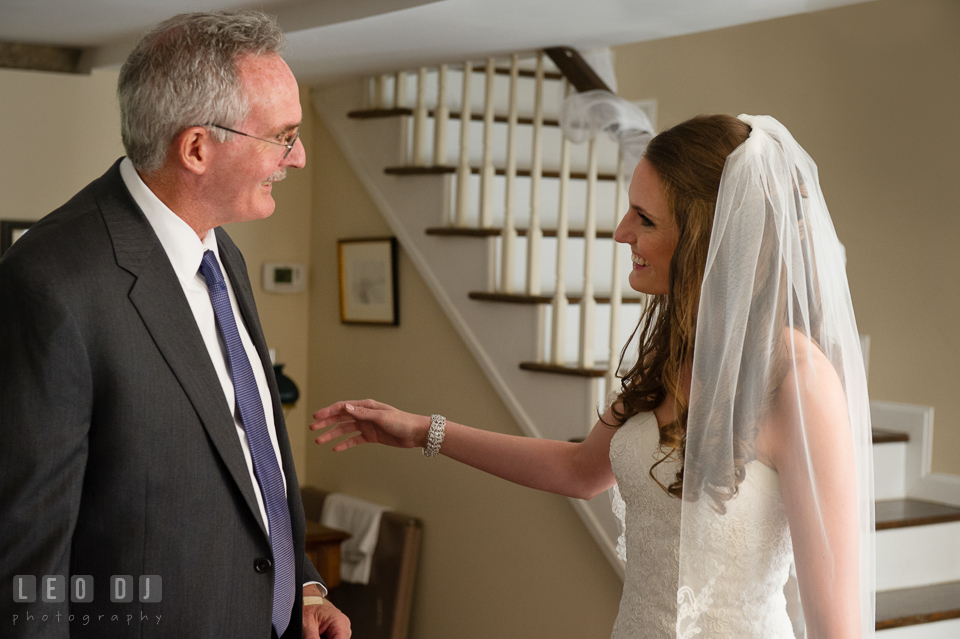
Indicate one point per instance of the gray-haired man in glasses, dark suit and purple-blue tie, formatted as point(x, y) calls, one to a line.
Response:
point(146, 470)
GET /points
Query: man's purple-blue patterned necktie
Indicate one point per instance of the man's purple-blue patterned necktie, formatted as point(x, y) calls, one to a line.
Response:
point(265, 464)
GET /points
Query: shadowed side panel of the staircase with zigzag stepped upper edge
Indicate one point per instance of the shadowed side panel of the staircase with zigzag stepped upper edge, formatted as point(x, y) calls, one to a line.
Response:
point(498, 335)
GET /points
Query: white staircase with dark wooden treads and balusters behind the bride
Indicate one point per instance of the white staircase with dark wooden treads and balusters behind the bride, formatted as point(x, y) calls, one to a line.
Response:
point(511, 228)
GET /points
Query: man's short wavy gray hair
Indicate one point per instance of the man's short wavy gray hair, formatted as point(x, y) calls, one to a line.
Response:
point(185, 72)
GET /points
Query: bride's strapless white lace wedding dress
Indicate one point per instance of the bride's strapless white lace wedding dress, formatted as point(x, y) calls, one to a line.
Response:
point(750, 563)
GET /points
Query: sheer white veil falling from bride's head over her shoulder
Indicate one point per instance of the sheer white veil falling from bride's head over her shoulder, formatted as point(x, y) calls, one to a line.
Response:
point(777, 353)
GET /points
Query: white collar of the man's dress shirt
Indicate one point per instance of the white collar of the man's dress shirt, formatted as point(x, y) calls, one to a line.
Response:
point(183, 247)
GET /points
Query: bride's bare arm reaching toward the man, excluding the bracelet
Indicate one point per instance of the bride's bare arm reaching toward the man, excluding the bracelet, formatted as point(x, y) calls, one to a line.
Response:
point(572, 469)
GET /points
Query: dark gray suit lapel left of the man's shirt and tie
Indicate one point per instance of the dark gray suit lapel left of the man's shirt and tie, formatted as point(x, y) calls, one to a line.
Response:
point(159, 299)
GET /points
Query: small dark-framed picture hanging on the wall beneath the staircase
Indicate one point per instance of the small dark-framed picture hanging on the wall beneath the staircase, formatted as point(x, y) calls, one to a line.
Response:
point(368, 281)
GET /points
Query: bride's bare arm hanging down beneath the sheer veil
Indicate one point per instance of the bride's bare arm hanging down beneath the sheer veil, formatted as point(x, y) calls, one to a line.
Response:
point(809, 442)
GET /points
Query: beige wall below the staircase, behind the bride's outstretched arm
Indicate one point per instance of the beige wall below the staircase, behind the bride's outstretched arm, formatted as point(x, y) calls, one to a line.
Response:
point(498, 560)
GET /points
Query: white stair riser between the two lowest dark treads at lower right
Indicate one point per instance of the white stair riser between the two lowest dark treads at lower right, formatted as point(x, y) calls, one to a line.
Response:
point(918, 556)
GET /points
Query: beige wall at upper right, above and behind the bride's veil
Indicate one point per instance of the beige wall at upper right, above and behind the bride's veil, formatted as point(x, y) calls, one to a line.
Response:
point(872, 91)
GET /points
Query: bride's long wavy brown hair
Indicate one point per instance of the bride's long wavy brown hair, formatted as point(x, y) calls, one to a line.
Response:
point(688, 158)
